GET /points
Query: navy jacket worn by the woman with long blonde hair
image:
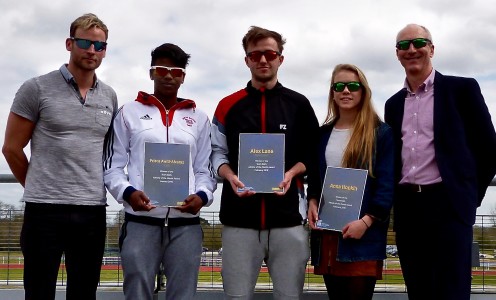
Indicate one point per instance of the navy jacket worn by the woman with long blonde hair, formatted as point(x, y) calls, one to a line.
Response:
point(377, 199)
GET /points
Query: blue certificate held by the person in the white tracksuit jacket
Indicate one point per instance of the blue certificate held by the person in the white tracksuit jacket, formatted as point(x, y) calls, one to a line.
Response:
point(166, 173)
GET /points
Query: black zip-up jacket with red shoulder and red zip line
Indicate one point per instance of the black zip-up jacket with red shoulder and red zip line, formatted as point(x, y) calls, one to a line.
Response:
point(278, 110)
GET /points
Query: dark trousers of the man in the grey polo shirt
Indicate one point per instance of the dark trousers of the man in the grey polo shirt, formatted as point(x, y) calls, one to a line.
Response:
point(52, 229)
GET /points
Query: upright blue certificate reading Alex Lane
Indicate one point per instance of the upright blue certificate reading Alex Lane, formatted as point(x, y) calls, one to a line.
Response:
point(261, 161)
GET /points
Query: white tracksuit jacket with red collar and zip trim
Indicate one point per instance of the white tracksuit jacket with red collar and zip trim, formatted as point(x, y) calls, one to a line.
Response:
point(147, 120)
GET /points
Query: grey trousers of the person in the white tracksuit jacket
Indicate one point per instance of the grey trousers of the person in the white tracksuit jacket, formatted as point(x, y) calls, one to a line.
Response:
point(146, 246)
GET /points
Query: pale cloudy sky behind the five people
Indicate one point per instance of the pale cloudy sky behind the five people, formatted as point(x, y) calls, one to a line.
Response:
point(320, 34)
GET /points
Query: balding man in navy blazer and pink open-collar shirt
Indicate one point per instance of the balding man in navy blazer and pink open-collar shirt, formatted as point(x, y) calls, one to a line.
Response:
point(445, 159)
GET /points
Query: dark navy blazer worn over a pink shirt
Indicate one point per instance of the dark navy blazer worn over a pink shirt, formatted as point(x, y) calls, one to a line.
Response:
point(464, 140)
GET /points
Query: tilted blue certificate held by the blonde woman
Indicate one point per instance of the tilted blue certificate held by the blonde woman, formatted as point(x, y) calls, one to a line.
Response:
point(342, 196)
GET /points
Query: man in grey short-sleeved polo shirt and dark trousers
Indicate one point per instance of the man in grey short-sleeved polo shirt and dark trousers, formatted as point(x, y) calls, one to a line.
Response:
point(66, 115)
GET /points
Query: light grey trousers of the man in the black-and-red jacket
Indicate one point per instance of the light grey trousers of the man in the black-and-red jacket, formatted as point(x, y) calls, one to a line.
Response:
point(285, 250)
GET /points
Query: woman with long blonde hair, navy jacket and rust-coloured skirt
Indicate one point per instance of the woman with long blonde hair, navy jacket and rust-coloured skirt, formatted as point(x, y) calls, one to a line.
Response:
point(354, 137)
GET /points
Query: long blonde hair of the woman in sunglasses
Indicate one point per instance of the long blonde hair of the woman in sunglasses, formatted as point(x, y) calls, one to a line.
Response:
point(359, 152)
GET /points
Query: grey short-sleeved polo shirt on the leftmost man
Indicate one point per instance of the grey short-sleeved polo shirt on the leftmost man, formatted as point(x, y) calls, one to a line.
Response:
point(67, 144)
